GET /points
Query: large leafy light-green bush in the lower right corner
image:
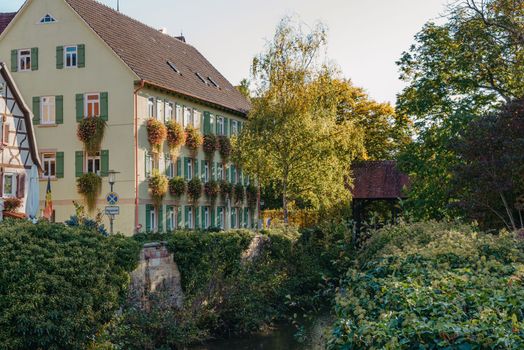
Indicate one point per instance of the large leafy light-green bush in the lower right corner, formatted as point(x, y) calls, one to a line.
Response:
point(433, 285)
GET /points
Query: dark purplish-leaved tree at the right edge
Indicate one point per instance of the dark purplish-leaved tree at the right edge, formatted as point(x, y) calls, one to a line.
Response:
point(487, 182)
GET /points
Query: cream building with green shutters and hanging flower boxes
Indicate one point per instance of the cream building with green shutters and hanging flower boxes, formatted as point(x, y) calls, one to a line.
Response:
point(78, 58)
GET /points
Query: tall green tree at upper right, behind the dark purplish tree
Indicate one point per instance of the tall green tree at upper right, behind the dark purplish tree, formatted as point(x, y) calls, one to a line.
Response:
point(456, 72)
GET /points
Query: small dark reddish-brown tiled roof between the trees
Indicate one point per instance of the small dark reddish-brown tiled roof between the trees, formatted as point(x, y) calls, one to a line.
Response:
point(378, 180)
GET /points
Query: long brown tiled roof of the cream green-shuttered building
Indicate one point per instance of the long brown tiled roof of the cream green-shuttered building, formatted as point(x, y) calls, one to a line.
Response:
point(146, 51)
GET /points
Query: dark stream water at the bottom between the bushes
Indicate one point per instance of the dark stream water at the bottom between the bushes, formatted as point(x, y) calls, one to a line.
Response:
point(281, 337)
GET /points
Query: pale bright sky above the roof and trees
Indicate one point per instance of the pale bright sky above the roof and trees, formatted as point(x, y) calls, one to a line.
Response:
point(366, 37)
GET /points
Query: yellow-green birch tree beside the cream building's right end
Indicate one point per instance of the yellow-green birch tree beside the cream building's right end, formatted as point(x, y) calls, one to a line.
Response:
point(293, 137)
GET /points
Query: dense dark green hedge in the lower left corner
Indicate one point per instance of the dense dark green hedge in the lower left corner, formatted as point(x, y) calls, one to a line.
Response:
point(59, 285)
